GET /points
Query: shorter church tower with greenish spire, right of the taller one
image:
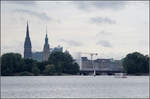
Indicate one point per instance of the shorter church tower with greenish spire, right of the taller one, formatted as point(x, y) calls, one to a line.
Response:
point(46, 49)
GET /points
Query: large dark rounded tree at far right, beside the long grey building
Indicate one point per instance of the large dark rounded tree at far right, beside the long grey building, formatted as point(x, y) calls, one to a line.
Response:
point(135, 63)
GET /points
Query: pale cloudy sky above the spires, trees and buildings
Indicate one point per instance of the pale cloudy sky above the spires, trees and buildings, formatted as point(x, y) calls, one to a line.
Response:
point(110, 28)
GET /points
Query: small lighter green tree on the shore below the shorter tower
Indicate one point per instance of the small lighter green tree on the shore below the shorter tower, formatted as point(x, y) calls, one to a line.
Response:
point(49, 69)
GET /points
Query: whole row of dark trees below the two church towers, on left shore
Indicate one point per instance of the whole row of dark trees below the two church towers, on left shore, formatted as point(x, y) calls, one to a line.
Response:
point(58, 63)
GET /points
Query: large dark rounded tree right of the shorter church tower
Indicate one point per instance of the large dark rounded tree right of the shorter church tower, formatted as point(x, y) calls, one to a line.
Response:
point(63, 62)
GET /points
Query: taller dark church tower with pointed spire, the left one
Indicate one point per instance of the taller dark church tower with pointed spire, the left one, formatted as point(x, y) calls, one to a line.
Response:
point(27, 45)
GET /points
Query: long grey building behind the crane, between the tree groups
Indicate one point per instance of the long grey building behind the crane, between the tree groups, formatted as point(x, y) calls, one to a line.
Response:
point(100, 65)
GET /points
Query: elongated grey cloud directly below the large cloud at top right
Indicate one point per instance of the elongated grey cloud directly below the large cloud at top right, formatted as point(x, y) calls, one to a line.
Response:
point(100, 20)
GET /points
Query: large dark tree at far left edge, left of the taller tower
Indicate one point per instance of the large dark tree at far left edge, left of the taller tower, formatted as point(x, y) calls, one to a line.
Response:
point(11, 63)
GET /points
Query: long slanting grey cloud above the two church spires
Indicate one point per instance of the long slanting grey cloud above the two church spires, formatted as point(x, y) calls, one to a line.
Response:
point(42, 16)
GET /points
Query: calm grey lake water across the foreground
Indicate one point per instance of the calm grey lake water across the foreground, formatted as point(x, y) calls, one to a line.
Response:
point(74, 87)
